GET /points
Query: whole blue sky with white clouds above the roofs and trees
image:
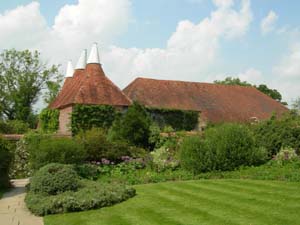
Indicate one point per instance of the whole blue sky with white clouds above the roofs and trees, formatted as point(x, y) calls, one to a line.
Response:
point(154, 38)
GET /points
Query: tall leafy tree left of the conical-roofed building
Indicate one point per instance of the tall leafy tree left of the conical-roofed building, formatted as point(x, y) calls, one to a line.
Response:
point(22, 77)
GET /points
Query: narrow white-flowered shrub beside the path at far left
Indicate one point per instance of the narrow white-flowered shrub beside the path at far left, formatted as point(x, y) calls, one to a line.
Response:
point(20, 167)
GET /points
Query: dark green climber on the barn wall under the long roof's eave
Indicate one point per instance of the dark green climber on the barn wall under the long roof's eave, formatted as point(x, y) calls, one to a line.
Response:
point(178, 119)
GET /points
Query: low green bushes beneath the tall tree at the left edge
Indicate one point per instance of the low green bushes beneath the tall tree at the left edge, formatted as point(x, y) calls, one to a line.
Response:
point(13, 127)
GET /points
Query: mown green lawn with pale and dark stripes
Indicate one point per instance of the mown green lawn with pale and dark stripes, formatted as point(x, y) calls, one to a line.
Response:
point(218, 202)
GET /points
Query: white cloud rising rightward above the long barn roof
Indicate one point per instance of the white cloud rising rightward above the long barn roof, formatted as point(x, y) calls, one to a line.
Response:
point(190, 50)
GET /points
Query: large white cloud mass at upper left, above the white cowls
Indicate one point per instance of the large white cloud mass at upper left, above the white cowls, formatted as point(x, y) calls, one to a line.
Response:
point(75, 27)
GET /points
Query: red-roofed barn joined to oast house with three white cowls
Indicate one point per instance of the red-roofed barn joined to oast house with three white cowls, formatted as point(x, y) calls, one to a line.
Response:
point(88, 85)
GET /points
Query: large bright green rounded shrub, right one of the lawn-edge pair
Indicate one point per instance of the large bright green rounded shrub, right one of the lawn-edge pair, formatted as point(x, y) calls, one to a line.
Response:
point(234, 146)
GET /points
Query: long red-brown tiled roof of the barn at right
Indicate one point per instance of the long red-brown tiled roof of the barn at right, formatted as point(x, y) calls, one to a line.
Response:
point(217, 103)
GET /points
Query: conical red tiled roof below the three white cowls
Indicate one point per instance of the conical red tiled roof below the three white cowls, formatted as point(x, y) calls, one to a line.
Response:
point(90, 86)
